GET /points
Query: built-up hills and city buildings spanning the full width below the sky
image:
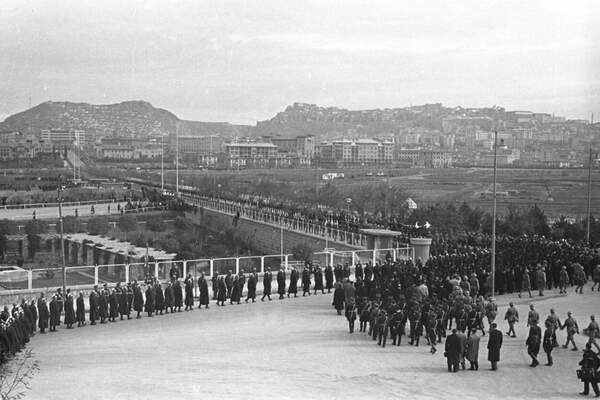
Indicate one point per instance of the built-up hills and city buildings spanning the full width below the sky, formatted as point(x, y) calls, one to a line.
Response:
point(429, 135)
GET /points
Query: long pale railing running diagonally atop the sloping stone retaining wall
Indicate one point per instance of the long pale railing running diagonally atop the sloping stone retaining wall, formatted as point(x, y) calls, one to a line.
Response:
point(299, 225)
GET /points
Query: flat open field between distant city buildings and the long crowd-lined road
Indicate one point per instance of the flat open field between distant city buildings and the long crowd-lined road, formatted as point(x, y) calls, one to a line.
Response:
point(557, 192)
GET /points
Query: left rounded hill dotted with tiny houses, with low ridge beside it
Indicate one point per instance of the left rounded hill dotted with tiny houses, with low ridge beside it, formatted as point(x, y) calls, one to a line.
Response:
point(126, 119)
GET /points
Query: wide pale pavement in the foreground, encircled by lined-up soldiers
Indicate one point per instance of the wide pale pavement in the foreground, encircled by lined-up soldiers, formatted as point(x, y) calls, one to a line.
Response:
point(289, 349)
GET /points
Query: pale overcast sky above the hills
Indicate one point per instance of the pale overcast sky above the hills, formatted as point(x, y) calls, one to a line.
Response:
point(243, 61)
